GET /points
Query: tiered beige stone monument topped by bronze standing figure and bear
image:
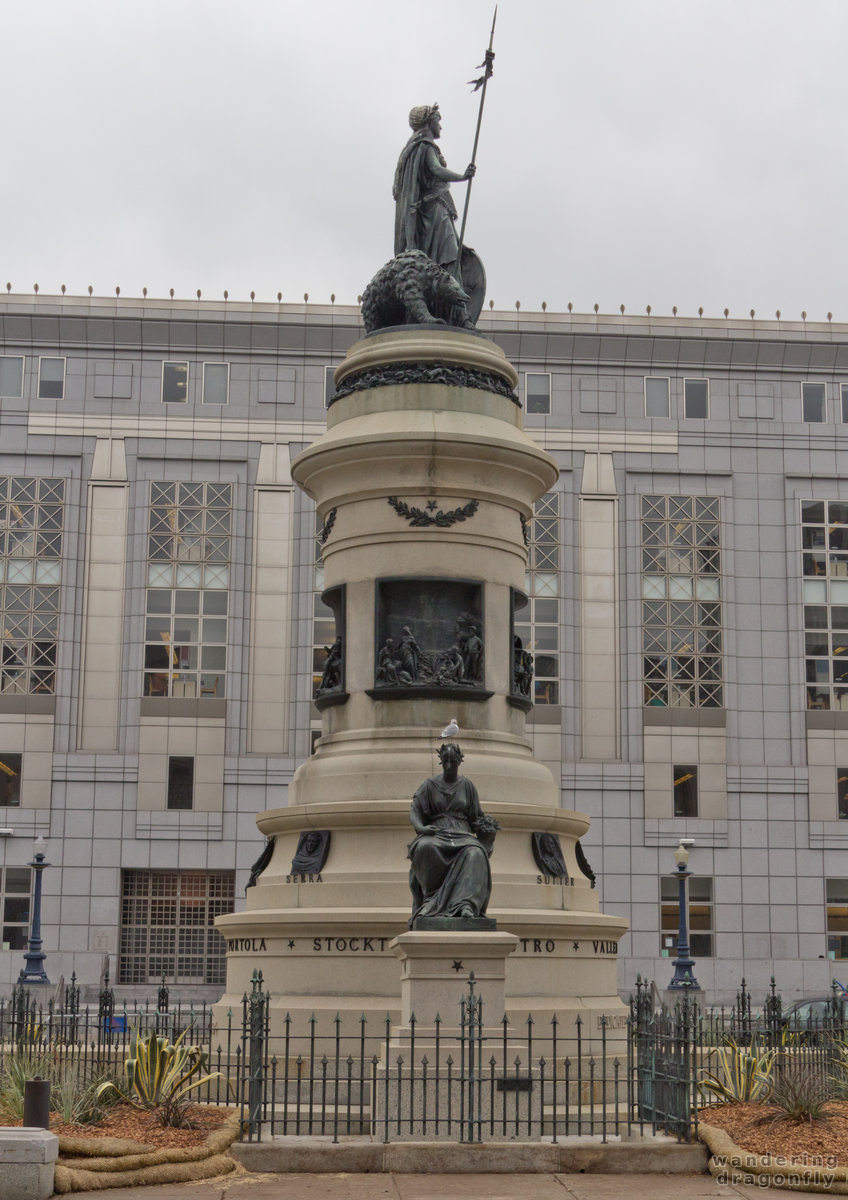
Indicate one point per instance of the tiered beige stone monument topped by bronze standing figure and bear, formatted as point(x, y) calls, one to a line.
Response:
point(425, 481)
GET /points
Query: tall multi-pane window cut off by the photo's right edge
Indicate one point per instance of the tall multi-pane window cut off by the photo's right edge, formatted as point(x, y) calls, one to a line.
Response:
point(825, 568)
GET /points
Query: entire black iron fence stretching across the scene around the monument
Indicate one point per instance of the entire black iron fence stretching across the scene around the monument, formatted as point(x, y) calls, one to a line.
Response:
point(461, 1079)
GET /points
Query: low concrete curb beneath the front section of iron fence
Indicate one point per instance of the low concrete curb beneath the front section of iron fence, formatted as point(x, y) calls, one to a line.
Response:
point(362, 1156)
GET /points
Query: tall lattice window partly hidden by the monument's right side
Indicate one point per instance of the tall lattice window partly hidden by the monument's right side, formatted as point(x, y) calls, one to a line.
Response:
point(539, 625)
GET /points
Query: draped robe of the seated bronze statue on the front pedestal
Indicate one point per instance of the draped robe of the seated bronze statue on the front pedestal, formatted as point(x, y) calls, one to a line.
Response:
point(450, 869)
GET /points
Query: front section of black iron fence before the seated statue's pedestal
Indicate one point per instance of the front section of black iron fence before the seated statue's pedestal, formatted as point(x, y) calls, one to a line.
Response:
point(467, 1081)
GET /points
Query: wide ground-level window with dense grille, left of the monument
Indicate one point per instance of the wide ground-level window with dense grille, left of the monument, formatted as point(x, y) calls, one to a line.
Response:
point(169, 926)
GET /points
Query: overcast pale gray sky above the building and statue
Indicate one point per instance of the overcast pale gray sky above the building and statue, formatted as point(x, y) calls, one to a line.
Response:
point(633, 152)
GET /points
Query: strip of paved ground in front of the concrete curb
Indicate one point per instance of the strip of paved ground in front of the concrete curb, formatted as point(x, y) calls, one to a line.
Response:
point(438, 1187)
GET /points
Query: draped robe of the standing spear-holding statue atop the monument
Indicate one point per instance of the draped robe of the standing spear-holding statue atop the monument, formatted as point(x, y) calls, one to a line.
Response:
point(424, 209)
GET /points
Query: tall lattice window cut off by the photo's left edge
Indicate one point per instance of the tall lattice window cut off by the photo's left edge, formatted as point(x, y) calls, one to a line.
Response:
point(32, 518)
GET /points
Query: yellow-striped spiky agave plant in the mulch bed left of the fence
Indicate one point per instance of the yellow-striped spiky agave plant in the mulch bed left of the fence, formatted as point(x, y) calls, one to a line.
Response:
point(160, 1077)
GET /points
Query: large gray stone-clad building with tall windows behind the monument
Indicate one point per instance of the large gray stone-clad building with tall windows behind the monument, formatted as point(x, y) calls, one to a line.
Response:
point(163, 627)
